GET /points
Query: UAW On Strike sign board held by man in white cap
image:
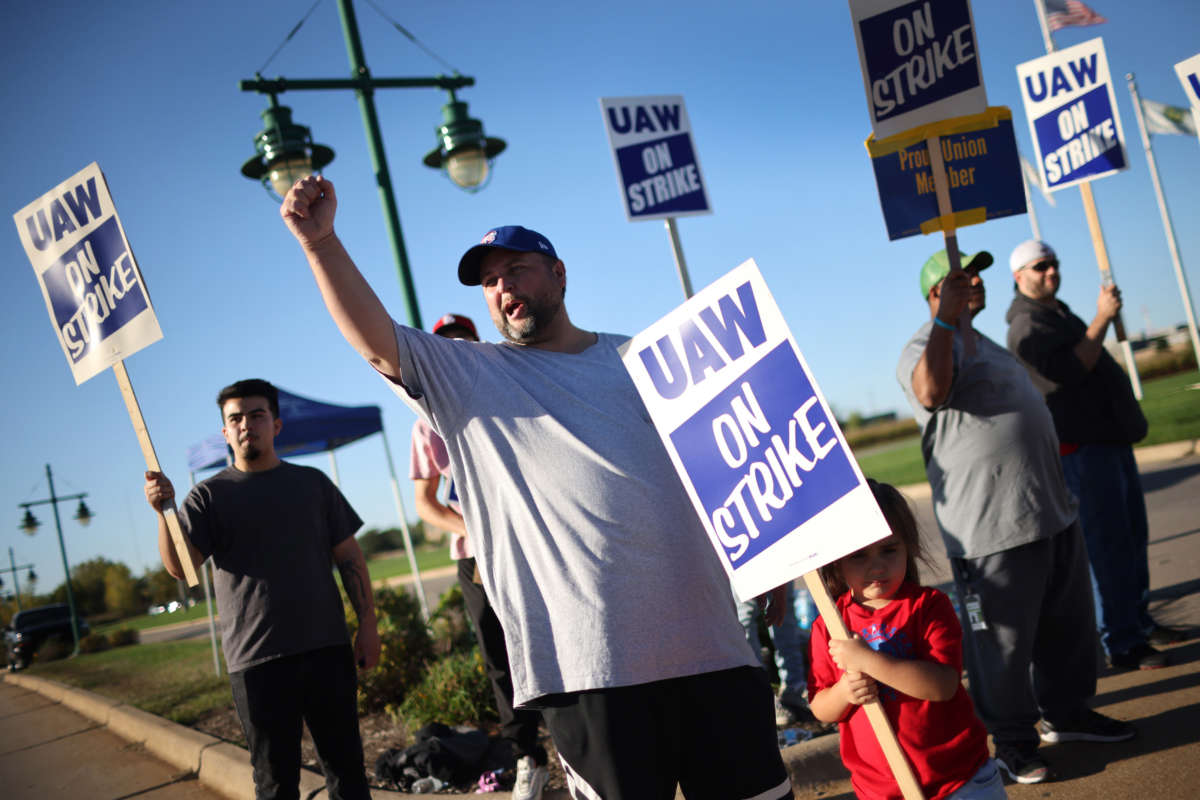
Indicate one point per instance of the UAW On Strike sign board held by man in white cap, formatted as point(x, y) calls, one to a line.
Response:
point(1073, 116)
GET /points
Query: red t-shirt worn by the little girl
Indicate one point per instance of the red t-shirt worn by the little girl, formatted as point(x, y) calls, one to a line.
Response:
point(945, 742)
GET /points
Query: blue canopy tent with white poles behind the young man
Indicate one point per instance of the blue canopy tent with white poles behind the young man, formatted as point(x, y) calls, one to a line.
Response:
point(310, 428)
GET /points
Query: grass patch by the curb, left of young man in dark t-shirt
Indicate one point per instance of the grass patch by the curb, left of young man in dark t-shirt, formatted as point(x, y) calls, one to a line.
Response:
point(170, 679)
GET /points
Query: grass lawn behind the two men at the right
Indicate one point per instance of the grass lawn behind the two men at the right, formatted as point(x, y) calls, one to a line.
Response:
point(1172, 408)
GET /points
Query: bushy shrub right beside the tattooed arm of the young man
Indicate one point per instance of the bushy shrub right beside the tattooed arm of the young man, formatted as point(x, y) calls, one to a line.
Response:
point(406, 648)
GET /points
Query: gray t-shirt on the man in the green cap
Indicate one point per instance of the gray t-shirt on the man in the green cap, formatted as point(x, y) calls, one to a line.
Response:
point(992, 453)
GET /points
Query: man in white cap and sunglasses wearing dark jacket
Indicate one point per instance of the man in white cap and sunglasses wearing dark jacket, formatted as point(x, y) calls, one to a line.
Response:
point(1097, 419)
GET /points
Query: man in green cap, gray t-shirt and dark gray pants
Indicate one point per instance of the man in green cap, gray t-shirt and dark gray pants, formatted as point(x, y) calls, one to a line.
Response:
point(1010, 525)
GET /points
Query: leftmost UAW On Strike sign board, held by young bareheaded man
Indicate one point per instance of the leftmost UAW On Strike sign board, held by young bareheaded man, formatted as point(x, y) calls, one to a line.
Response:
point(94, 292)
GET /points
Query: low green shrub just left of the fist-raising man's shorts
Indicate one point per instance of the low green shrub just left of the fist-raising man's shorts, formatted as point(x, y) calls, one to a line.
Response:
point(455, 691)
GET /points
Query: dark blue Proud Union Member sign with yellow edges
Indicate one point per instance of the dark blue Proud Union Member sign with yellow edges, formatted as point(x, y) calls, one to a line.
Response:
point(982, 167)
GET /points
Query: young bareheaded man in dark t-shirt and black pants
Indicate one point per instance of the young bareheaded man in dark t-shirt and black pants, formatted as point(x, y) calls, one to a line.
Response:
point(274, 531)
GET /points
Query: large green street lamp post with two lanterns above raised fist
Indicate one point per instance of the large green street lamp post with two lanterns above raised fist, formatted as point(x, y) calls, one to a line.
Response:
point(285, 152)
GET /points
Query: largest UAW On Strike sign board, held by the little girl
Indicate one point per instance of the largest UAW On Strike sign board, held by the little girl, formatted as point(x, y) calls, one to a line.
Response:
point(752, 436)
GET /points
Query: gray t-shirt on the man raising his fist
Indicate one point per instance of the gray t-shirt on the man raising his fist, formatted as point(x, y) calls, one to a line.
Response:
point(598, 567)
